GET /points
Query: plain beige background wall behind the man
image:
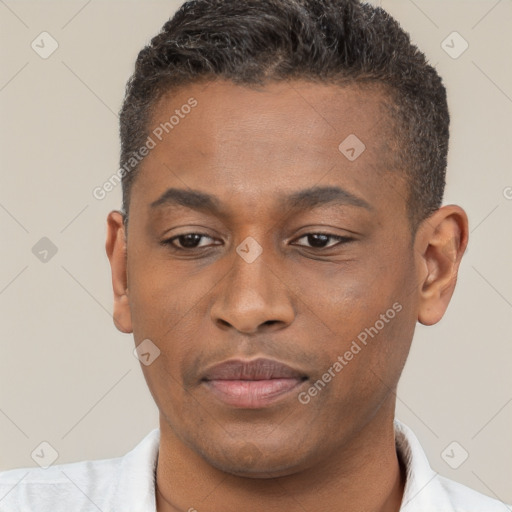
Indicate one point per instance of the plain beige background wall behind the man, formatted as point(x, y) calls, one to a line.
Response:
point(69, 378)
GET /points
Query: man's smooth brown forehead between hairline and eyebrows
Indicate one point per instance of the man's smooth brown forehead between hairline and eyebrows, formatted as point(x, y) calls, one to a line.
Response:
point(253, 141)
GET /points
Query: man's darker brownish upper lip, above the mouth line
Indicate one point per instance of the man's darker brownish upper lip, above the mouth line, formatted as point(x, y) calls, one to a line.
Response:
point(256, 369)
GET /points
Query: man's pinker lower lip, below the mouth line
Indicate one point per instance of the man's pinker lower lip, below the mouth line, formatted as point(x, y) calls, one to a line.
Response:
point(252, 394)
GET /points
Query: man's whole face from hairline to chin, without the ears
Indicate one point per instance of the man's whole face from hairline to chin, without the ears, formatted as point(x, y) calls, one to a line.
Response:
point(270, 161)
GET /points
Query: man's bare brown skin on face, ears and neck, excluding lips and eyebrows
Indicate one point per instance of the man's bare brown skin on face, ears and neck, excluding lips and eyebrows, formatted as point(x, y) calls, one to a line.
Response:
point(299, 302)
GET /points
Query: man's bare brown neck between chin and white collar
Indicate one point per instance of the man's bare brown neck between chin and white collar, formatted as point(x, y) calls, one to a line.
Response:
point(363, 474)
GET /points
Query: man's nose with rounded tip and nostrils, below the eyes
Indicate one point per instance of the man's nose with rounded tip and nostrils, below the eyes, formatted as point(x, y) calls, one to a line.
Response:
point(253, 297)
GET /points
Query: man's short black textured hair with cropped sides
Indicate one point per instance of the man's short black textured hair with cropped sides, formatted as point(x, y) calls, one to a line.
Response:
point(328, 41)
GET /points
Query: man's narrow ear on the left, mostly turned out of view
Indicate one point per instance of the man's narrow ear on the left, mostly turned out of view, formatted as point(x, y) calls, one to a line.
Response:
point(116, 252)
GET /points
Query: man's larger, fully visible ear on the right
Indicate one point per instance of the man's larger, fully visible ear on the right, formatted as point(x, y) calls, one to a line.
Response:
point(440, 243)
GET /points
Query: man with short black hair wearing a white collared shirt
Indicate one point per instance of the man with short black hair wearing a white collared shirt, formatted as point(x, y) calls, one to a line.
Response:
point(283, 167)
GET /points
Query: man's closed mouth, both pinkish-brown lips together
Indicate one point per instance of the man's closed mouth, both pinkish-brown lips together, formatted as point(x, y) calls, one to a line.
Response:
point(252, 384)
